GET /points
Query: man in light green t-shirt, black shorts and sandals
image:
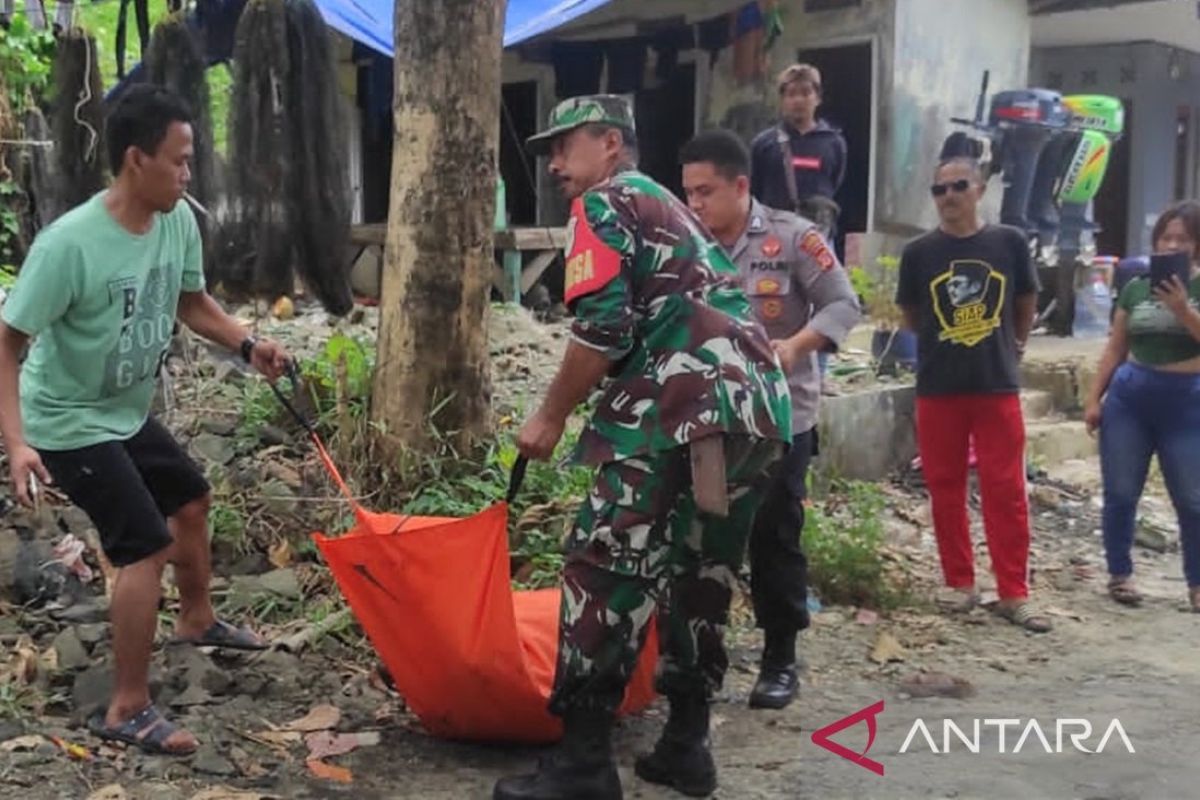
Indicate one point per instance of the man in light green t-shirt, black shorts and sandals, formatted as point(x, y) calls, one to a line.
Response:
point(99, 297)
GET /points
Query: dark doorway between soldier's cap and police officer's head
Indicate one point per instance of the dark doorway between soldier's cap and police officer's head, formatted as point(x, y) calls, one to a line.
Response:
point(667, 121)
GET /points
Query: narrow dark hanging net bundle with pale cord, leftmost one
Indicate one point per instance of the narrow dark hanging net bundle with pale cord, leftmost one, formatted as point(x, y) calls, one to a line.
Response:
point(77, 119)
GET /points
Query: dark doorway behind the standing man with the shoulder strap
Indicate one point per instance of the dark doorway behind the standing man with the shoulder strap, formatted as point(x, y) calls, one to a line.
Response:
point(848, 104)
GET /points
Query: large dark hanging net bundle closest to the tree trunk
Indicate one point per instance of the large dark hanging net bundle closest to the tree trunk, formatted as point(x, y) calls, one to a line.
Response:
point(289, 189)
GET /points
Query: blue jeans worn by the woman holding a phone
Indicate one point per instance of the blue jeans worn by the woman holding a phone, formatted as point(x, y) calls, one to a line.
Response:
point(1150, 412)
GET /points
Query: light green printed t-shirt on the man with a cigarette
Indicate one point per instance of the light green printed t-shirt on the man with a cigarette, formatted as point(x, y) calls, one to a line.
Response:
point(100, 304)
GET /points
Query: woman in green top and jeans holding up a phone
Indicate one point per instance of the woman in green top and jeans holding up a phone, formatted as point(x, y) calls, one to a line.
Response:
point(1147, 400)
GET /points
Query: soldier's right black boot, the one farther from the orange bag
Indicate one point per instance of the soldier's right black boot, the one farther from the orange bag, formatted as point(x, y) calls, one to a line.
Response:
point(681, 759)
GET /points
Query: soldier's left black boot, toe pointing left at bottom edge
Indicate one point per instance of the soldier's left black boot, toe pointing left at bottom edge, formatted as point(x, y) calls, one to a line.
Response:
point(581, 768)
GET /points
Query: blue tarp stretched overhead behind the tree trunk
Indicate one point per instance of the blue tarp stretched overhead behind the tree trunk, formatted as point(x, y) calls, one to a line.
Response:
point(371, 21)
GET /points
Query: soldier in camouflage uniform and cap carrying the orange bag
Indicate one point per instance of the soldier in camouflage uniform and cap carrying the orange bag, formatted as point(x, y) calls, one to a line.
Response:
point(658, 310)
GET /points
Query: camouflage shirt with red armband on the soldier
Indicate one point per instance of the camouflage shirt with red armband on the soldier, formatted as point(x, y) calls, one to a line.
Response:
point(656, 293)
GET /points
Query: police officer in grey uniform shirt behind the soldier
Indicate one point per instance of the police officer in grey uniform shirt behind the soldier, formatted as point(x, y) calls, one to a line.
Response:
point(803, 298)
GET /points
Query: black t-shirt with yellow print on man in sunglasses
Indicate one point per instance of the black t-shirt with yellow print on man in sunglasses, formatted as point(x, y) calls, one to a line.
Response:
point(964, 291)
